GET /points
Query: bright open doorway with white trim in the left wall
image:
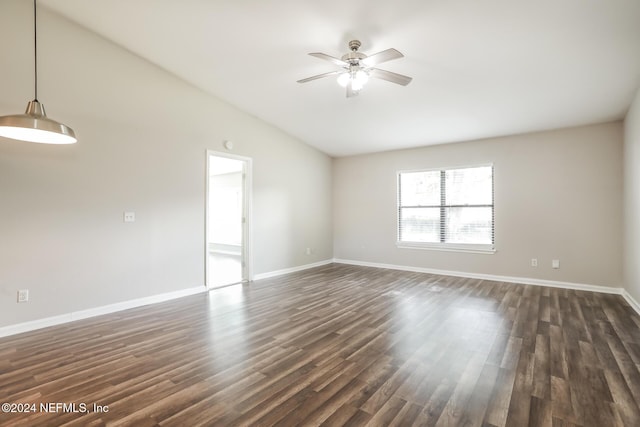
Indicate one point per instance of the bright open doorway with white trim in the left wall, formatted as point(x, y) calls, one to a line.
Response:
point(227, 219)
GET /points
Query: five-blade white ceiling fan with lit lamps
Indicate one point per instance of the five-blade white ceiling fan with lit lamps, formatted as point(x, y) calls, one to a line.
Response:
point(358, 67)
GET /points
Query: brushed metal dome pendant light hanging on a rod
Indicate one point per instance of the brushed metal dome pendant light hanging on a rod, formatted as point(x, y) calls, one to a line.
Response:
point(34, 125)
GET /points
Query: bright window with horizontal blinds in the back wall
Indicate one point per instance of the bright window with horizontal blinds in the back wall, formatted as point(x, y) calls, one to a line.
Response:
point(446, 209)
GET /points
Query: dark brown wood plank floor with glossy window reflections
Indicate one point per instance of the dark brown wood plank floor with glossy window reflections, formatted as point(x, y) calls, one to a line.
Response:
point(337, 345)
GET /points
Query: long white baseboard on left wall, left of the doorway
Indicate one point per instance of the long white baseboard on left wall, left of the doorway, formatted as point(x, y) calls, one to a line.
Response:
point(96, 311)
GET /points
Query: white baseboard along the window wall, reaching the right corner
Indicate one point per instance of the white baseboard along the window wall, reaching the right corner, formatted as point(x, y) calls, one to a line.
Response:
point(510, 279)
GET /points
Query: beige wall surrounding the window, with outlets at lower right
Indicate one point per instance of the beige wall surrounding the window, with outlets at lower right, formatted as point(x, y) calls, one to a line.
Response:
point(558, 195)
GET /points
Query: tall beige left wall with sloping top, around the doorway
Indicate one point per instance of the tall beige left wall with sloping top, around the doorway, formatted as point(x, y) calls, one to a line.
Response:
point(143, 136)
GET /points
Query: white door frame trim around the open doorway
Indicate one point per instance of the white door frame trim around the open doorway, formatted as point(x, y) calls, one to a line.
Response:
point(247, 259)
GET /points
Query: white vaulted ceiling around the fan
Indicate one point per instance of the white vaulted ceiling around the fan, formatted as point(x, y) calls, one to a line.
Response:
point(480, 68)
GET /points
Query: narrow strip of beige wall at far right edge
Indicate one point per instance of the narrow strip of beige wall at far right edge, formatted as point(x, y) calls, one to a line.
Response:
point(632, 199)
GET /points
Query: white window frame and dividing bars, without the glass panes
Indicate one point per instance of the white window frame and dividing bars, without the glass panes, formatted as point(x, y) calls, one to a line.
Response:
point(484, 248)
